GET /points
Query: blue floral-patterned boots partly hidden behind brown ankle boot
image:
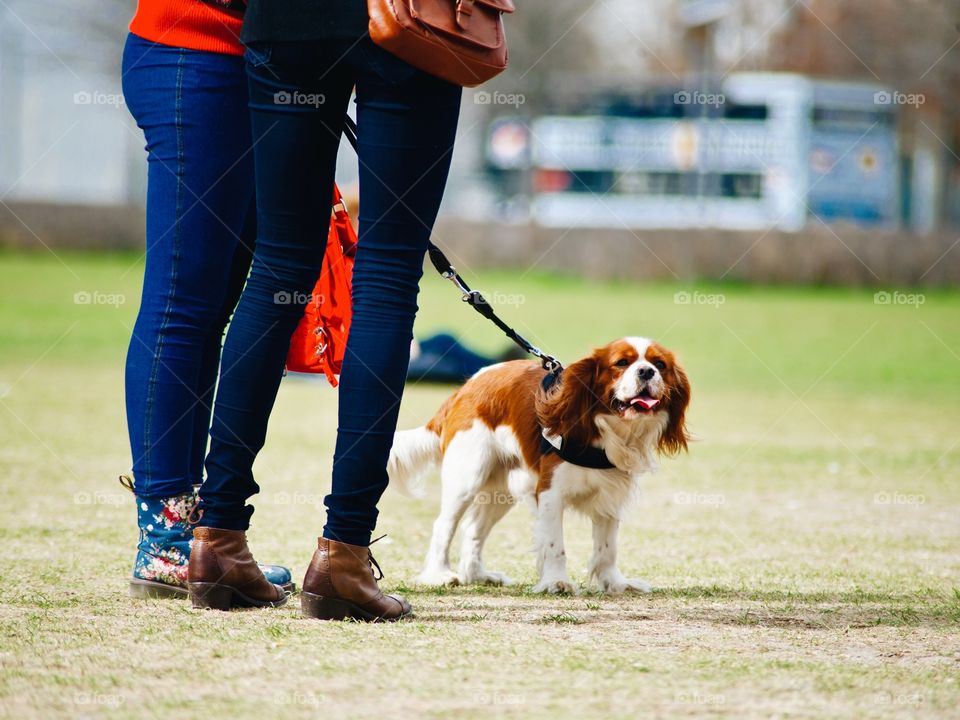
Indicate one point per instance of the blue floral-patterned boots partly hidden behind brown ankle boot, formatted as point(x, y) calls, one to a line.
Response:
point(163, 554)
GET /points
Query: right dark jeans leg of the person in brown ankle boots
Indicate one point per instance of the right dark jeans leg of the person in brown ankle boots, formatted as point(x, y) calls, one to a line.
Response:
point(407, 123)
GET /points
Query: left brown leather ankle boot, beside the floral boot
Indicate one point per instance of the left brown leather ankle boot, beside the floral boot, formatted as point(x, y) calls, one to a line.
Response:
point(223, 573)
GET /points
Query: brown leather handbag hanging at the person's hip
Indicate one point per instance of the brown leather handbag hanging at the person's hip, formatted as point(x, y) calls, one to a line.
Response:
point(461, 41)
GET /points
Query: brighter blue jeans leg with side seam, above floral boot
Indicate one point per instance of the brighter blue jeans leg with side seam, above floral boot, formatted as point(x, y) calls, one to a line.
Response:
point(200, 230)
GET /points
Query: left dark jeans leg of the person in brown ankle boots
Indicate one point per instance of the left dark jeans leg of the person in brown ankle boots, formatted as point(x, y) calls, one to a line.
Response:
point(295, 148)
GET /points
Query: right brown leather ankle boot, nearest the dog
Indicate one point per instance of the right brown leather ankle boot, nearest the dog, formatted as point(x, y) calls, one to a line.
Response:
point(340, 584)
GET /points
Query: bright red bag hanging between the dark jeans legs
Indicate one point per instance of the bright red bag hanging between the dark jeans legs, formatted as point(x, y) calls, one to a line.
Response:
point(320, 339)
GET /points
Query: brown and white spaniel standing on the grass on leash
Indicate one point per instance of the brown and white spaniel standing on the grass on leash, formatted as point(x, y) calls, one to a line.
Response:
point(628, 399)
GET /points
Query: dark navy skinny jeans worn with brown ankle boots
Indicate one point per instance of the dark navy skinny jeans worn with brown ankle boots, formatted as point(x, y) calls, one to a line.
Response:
point(299, 93)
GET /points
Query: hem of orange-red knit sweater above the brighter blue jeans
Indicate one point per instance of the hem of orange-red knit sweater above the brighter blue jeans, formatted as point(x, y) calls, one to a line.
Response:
point(188, 24)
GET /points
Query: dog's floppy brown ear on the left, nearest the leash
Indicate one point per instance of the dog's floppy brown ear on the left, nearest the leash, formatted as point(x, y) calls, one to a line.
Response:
point(567, 409)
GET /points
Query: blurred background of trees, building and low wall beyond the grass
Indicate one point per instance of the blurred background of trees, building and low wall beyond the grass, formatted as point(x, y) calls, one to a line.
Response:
point(771, 140)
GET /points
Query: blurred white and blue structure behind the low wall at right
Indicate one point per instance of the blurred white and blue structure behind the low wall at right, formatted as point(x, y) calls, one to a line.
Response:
point(760, 150)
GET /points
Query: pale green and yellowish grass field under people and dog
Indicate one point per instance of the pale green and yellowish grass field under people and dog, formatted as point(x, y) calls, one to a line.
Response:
point(804, 554)
